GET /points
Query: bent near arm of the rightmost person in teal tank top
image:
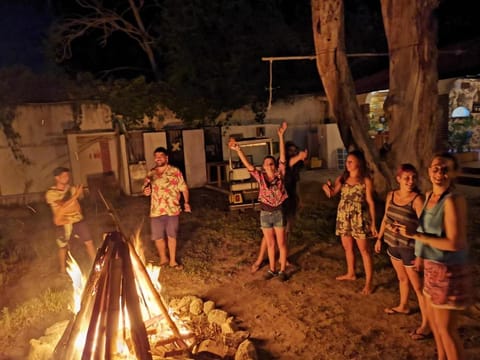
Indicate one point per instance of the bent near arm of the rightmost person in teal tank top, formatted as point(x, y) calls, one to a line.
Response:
point(455, 213)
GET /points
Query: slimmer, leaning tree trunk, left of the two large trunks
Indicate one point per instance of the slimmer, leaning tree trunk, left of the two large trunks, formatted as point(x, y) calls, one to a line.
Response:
point(329, 37)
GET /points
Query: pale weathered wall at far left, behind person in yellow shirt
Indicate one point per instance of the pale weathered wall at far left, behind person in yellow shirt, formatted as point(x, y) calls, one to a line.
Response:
point(43, 142)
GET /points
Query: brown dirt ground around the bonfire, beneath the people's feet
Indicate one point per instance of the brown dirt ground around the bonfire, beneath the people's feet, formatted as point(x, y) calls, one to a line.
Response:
point(311, 316)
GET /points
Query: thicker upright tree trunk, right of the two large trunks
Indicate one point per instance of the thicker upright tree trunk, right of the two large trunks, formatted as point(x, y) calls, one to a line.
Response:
point(411, 105)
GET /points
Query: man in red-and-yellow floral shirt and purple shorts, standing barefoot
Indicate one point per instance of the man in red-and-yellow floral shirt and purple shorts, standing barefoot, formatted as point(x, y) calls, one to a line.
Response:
point(165, 185)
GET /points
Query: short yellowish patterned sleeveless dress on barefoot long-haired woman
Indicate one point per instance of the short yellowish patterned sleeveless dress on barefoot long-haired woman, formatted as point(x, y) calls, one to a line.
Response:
point(353, 218)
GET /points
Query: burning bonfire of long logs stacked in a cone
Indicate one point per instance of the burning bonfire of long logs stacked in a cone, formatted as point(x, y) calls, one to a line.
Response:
point(121, 314)
